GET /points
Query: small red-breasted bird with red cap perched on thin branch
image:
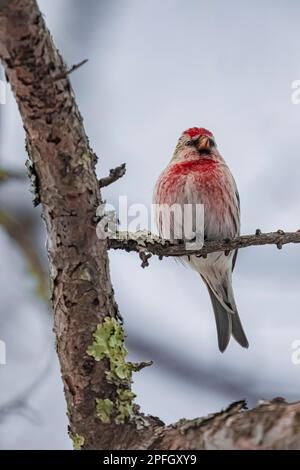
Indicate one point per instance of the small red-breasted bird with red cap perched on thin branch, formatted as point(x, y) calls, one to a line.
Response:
point(197, 174)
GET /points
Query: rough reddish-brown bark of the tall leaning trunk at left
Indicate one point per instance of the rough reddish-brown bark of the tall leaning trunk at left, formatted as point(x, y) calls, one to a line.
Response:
point(62, 167)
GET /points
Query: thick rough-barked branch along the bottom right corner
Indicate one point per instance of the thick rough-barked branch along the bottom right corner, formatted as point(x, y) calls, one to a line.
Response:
point(271, 425)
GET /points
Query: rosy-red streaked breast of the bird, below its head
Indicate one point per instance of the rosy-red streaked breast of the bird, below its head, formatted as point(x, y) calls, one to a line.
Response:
point(202, 181)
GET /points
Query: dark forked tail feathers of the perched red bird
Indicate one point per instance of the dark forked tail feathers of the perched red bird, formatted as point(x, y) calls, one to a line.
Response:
point(227, 324)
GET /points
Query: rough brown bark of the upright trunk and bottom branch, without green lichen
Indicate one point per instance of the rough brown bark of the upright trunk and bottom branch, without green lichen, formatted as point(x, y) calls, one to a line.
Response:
point(62, 166)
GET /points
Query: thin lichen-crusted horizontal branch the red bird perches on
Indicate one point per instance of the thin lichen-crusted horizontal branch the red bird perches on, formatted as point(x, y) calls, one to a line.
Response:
point(144, 242)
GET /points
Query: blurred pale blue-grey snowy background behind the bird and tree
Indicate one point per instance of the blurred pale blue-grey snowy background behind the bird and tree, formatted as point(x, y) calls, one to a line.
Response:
point(156, 68)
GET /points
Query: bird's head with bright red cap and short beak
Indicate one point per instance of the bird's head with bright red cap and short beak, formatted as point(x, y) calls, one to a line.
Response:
point(194, 143)
